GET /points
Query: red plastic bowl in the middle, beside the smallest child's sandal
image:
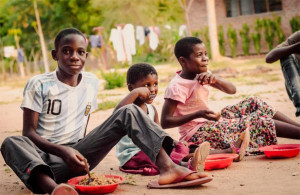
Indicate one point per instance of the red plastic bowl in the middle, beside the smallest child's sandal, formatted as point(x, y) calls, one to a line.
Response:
point(219, 161)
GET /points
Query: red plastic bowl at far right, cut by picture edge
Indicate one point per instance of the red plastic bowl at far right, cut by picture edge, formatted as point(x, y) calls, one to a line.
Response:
point(281, 150)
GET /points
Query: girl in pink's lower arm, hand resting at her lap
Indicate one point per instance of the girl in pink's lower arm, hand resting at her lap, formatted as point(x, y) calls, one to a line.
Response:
point(169, 121)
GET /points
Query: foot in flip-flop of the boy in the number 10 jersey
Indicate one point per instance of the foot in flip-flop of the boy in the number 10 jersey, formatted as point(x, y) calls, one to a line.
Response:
point(178, 173)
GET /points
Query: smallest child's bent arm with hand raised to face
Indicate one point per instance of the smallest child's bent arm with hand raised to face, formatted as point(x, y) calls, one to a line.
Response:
point(141, 92)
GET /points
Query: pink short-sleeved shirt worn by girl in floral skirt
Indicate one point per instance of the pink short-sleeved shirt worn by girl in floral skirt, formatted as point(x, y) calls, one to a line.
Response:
point(192, 97)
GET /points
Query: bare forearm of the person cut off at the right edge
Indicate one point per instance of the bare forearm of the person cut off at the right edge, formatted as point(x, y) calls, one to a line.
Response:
point(281, 52)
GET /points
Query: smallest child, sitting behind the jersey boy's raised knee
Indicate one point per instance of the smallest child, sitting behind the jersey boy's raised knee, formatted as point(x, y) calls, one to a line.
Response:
point(142, 81)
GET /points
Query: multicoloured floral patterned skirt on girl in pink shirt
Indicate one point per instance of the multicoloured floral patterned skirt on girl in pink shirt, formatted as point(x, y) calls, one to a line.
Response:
point(221, 134)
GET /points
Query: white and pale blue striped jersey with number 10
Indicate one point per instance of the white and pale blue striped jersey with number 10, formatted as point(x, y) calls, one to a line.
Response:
point(63, 109)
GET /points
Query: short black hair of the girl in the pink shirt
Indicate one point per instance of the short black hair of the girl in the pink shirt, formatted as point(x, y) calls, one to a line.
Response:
point(184, 47)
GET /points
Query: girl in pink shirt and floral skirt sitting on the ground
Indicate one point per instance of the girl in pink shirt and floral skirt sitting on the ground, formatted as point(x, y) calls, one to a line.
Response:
point(186, 106)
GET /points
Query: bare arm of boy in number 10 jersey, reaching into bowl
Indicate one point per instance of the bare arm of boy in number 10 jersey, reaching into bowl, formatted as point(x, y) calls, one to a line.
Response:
point(71, 156)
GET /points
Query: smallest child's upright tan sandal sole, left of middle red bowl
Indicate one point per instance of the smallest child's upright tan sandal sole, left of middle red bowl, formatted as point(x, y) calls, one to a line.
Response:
point(200, 154)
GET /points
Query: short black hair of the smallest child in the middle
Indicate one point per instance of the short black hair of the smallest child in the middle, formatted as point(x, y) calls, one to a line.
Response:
point(139, 71)
